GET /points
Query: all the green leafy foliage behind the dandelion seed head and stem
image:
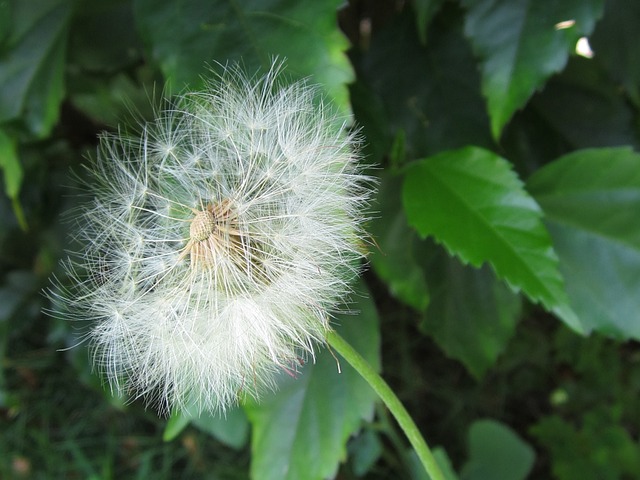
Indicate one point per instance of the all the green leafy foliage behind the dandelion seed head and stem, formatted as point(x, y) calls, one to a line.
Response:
point(503, 300)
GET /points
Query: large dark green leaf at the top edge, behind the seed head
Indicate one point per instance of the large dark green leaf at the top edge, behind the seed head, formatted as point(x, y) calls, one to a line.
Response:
point(304, 33)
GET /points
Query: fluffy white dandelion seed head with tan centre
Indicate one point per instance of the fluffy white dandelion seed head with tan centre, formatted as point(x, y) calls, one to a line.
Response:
point(218, 242)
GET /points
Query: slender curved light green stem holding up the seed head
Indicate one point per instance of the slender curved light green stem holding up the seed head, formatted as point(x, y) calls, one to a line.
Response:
point(390, 400)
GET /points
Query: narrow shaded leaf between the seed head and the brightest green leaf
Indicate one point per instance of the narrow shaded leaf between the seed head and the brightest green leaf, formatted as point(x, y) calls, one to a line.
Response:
point(394, 260)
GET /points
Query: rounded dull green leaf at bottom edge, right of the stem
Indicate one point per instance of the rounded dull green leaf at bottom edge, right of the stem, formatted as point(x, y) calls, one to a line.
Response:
point(496, 452)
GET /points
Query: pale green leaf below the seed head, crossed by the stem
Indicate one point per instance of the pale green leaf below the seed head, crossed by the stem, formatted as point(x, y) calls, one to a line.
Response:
point(301, 431)
